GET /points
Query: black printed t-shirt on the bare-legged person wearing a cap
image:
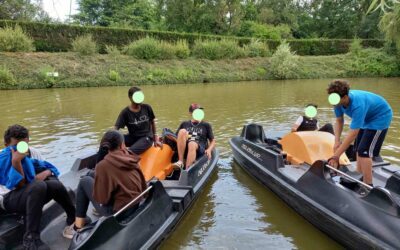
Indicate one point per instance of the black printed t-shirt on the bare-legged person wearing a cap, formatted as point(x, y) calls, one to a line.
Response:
point(200, 132)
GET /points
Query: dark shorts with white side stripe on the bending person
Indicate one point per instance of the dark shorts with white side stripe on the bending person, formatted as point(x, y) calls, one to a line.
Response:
point(369, 142)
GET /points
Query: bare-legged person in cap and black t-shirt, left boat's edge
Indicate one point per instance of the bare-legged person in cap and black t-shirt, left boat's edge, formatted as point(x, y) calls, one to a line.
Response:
point(193, 137)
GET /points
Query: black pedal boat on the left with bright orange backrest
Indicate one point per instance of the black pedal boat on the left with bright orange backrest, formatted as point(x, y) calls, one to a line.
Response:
point(168, 196)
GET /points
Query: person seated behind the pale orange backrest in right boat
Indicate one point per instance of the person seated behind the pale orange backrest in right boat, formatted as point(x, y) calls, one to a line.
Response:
point(305, 123)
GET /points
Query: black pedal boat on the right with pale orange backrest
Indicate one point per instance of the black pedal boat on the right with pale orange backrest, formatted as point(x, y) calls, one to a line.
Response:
point(294, 167)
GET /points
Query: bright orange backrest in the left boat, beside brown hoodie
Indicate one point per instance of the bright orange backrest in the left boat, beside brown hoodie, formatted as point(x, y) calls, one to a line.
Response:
point(156, 162)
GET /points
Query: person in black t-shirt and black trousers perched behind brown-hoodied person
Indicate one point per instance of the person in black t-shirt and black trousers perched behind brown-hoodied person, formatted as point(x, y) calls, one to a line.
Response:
point(139, 118)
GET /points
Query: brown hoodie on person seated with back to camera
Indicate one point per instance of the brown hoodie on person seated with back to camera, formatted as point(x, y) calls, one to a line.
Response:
point(118, 179)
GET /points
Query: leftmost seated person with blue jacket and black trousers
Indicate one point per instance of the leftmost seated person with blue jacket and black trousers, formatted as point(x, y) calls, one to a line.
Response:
point(27, 183)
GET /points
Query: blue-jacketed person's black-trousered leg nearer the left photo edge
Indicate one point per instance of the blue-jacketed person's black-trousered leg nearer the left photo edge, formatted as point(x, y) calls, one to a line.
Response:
point(28, 201)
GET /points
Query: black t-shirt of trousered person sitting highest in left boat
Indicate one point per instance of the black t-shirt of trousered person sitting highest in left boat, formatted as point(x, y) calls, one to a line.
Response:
point(138, 123)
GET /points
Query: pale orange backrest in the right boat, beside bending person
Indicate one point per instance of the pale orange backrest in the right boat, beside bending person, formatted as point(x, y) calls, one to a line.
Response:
point(310, 146)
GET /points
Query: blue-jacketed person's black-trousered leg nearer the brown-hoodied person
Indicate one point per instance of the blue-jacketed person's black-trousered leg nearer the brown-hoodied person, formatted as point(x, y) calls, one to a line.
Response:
point(57, 191)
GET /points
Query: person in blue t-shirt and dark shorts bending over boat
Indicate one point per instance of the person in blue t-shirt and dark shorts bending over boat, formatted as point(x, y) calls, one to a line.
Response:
point(370, 119)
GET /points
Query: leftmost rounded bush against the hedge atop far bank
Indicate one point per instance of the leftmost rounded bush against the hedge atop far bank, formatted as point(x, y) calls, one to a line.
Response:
point(14, 39)
